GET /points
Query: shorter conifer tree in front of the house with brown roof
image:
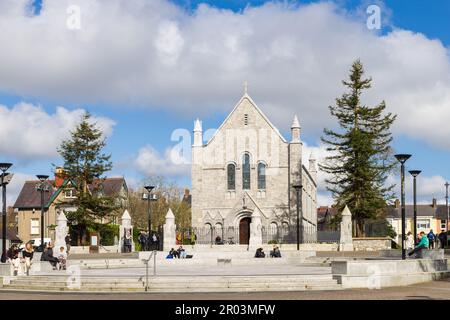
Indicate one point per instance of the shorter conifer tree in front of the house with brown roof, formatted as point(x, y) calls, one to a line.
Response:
point(85, 165)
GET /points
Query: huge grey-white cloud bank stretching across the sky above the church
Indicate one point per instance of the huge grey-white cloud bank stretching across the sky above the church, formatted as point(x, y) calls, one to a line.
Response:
point(154, 53)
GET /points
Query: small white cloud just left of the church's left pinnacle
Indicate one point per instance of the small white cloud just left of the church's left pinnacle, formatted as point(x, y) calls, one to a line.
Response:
point(151, 163)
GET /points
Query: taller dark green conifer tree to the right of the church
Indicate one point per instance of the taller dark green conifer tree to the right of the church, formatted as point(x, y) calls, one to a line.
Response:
point(361, 156)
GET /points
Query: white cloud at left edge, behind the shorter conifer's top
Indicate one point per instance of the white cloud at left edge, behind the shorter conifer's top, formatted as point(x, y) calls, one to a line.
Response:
point(28, 132)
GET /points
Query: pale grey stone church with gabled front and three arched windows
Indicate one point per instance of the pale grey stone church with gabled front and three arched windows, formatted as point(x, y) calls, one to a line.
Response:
point(244, 174)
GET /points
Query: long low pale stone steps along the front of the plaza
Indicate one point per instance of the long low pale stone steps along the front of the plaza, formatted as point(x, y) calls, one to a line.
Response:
point(178, 283)
